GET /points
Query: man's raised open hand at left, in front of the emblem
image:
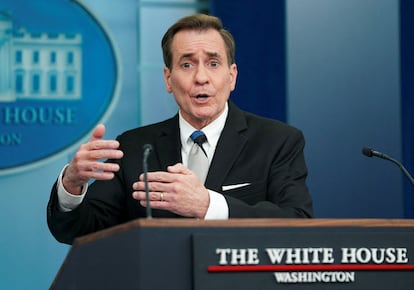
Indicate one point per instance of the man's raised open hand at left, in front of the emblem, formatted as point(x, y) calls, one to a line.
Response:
point(88, 162)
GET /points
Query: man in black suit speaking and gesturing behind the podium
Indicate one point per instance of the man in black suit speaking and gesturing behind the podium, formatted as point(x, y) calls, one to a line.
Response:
point(256, 165)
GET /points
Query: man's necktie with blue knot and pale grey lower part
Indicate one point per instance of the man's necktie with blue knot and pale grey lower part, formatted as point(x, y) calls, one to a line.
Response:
point(197, 159)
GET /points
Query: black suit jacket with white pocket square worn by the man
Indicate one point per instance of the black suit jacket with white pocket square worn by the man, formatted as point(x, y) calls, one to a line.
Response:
point(265, 153)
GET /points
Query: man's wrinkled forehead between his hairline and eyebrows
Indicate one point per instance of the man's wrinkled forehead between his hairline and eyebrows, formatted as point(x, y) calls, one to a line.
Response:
point(196, 41)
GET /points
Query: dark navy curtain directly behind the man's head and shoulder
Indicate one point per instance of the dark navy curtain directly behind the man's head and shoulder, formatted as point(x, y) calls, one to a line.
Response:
point(260, 53)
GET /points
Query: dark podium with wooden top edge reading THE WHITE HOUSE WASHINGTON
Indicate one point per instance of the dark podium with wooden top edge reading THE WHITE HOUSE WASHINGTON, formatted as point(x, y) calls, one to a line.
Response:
point(186, 254)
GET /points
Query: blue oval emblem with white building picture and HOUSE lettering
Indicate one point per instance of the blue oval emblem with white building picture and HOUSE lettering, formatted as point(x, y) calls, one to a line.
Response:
point(59, 77)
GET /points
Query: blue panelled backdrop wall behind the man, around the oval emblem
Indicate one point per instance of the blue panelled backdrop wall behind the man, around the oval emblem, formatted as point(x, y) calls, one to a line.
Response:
point(328, 67)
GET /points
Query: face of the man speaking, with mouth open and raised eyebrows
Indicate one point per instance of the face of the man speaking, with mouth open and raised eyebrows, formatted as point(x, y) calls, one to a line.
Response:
point(200, 78)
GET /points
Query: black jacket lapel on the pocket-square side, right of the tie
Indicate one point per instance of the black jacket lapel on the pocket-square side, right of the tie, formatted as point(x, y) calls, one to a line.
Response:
point(229, 146)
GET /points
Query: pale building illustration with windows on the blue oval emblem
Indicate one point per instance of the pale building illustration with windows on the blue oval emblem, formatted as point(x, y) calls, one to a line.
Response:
point(38, 66)
